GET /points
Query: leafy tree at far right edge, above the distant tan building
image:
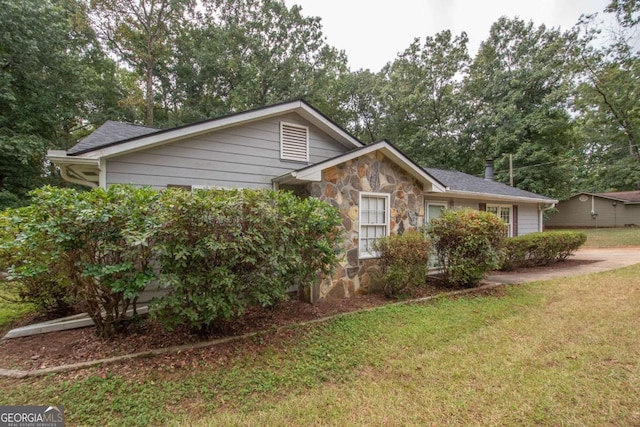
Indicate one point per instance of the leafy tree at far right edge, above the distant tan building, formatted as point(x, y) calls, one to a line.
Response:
point(606, 104)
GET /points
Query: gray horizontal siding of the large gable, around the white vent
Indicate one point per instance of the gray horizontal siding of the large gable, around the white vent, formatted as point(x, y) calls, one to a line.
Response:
point(240, 157)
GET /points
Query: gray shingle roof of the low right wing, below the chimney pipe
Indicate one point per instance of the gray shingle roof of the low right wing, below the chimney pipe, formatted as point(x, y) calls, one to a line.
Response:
point(459, 181)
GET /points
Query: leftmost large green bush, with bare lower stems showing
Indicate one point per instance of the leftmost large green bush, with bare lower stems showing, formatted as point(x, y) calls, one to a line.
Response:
point(100, 241)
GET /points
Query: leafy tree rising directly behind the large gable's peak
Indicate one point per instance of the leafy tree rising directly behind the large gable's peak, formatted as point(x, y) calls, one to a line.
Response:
point(243, 54)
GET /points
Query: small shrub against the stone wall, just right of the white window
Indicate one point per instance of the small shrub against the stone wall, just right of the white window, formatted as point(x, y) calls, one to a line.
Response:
point(403, 261)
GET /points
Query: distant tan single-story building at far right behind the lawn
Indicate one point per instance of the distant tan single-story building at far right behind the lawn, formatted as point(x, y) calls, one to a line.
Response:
point(593, 210)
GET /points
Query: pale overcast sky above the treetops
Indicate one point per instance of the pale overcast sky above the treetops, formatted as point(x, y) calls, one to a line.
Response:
point(373, 32)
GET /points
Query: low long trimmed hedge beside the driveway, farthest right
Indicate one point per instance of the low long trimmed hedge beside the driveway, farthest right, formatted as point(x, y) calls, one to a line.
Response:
point(538, 249)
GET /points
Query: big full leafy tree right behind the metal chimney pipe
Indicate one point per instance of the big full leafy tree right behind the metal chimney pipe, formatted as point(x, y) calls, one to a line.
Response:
point(518, 86)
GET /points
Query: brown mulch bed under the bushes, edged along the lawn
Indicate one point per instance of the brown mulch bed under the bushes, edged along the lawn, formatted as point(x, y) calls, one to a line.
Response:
point(81, 345)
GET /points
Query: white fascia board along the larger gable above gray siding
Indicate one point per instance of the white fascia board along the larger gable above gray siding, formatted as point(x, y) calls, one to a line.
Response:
point(187, 131)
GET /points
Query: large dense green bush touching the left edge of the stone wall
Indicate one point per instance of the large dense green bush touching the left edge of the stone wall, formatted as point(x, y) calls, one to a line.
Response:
point(220, 251)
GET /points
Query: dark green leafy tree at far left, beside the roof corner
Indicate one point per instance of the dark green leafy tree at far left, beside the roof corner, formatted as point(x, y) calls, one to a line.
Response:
point(50, 67)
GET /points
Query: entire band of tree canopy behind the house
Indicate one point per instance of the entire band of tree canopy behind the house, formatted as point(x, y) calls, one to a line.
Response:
point(563, 104)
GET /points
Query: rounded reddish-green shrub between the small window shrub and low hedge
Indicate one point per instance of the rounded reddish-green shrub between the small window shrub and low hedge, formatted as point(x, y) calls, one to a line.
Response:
point(467, 243)
